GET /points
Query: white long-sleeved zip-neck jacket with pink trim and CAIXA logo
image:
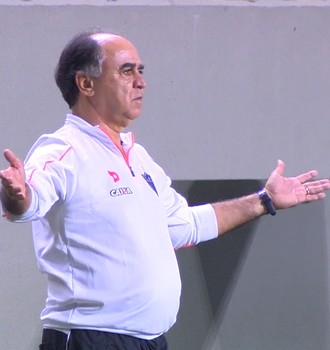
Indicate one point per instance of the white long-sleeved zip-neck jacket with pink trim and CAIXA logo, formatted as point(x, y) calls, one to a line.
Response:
point(106, 225)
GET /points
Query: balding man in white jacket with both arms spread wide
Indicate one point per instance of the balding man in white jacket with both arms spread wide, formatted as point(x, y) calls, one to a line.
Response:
point(106, 221)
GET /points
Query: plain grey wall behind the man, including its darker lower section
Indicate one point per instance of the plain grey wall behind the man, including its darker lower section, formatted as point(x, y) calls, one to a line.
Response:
point(231, 88)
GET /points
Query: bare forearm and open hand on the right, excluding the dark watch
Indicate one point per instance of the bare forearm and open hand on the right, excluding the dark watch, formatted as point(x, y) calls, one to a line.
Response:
point(284, 192)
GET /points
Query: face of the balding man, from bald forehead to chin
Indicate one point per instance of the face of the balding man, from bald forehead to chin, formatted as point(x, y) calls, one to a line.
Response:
point(119, 91)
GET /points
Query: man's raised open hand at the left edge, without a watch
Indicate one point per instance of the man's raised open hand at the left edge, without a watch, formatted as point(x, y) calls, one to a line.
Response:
point(15, 194)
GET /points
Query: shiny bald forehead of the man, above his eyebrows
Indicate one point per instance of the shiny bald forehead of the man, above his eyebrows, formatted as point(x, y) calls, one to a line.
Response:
point(117, 50)
